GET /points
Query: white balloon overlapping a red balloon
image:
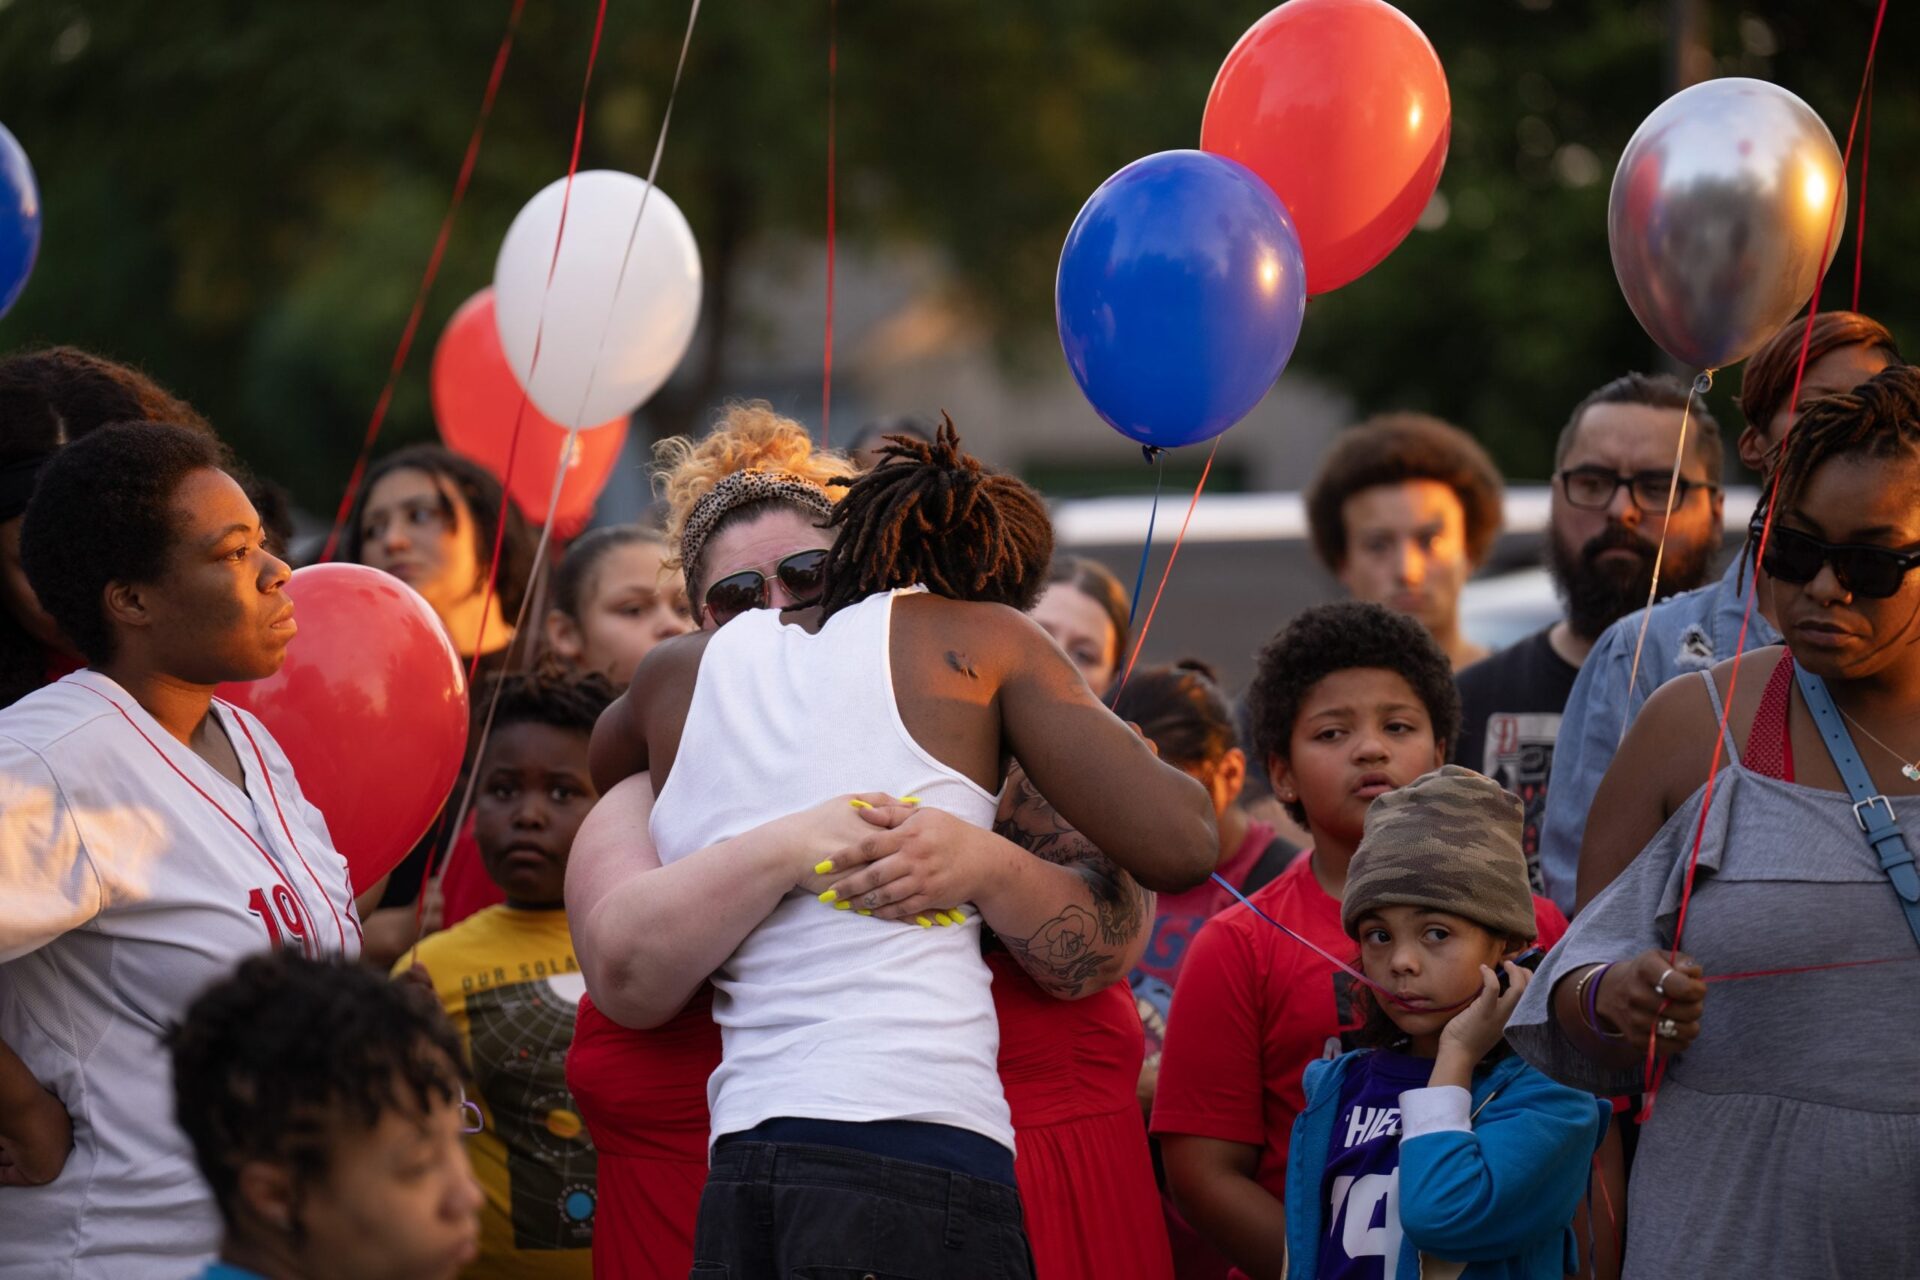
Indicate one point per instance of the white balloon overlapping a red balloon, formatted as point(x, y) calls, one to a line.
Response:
point(610, 341)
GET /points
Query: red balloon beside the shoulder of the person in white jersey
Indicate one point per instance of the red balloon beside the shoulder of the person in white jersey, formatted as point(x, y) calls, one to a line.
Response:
point(370, 709)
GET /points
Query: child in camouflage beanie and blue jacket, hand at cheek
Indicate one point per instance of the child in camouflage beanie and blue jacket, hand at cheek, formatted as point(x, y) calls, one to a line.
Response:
point(1426, 1152)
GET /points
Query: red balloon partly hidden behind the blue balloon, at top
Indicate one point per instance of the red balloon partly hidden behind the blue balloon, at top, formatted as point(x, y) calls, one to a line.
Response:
point(1343, 108)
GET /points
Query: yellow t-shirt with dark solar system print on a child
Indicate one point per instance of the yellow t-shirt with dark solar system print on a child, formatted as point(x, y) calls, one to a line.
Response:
point(512, 987)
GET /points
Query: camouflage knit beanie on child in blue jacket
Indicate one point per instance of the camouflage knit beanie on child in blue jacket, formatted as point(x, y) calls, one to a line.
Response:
point(1447, 841)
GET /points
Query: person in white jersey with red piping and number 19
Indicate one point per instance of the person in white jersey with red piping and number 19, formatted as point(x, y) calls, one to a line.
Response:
point(151, 838)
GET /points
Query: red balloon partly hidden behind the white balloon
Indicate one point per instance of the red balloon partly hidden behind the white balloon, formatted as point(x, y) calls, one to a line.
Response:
point(477, 402)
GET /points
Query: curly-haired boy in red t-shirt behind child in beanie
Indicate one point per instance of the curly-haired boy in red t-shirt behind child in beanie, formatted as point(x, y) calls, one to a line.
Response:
point(1349, 703)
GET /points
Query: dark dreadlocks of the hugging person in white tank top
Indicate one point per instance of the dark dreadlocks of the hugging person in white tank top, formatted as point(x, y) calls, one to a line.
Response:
point(932, 515)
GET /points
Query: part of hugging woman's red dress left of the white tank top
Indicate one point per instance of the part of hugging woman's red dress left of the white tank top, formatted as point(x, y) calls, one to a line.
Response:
point(644, 1099)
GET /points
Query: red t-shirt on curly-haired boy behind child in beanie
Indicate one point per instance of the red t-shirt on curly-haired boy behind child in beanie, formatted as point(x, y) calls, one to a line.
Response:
point(1253, 1008)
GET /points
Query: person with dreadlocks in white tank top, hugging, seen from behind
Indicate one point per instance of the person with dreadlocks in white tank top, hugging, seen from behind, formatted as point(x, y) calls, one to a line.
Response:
point(857, 1114)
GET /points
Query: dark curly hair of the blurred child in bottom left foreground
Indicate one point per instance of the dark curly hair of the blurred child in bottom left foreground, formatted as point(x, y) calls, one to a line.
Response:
point(268, 1062)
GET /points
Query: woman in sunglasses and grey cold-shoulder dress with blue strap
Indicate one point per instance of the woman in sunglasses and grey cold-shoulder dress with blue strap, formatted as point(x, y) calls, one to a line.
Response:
point(1792, 874)
